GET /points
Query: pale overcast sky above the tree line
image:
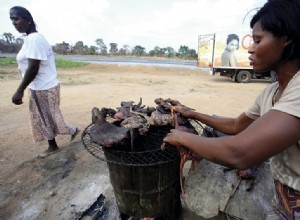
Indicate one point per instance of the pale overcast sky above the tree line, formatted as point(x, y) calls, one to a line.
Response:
point(148, 23)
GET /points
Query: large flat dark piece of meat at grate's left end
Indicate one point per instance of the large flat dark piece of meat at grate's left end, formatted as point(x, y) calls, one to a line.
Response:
point(105, 133)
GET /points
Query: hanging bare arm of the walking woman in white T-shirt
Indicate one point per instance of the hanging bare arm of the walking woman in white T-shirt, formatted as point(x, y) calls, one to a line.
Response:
point(30, 74)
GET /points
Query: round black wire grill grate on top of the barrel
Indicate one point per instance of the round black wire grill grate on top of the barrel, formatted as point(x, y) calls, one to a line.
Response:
point(146, 149)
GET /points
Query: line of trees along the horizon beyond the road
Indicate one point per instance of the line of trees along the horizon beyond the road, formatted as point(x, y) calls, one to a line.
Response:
point(10, 44)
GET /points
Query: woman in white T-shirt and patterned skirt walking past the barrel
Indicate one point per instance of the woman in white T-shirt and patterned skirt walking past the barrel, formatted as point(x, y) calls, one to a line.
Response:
point(36, 64)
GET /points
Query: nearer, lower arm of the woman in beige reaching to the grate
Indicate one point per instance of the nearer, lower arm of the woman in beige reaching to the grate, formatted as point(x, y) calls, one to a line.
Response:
point(265, 137)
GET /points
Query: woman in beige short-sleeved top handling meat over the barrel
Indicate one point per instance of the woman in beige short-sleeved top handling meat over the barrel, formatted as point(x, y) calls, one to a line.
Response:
point(270, 127)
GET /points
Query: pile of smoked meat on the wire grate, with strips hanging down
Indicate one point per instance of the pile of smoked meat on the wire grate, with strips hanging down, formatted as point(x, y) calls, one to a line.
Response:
point(121, 126)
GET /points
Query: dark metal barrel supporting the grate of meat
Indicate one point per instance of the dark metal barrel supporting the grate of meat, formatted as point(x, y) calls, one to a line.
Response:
point(145, 178)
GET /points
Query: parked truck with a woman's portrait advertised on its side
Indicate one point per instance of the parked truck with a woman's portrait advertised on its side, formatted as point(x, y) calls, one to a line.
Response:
point(227, 54)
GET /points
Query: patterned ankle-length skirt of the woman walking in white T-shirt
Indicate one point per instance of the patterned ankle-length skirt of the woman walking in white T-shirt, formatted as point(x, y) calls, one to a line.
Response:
point(45, 115)
